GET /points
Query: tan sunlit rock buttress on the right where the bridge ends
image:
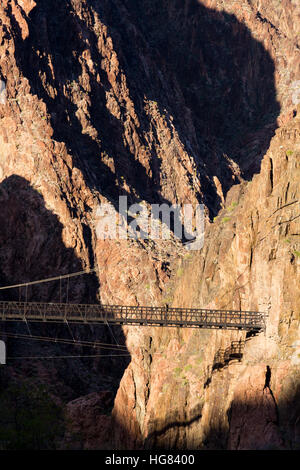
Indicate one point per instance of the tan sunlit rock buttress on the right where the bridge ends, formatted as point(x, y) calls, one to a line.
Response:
point(250, 261)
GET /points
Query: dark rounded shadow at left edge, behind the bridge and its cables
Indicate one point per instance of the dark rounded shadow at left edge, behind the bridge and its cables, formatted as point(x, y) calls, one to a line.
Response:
point(32, 248)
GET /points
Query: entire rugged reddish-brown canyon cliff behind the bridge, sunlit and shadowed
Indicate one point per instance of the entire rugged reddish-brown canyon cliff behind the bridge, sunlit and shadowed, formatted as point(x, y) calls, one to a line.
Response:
point(162, 102)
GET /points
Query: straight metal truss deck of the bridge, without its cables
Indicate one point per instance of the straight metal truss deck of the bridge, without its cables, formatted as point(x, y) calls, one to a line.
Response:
point(126, 315)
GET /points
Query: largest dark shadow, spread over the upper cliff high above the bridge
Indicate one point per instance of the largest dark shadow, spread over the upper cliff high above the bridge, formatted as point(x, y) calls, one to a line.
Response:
point(202, 68)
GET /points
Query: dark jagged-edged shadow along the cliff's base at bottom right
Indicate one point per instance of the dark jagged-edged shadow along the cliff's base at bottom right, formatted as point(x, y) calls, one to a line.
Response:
point(260, 423)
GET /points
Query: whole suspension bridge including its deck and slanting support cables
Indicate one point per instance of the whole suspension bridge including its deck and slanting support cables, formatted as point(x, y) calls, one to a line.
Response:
point(40, 312)
